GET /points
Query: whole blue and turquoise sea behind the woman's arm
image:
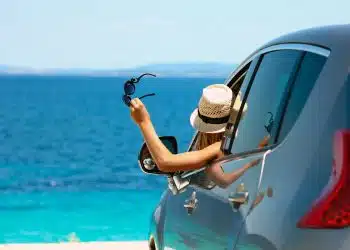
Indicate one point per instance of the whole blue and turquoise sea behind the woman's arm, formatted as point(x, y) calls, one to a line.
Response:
point(68, 155)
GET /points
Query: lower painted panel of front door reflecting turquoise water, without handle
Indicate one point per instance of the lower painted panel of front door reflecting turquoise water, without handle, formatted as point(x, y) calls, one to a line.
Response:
point(204, 228)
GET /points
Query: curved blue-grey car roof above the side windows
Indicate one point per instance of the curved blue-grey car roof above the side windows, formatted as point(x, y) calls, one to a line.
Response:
point(332, 37)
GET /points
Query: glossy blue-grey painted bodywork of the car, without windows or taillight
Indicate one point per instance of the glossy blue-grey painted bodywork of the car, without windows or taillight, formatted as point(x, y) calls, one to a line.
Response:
point(284, 186)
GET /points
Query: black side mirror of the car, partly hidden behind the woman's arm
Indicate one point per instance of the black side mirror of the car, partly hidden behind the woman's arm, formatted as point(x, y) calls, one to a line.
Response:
point(145, 160)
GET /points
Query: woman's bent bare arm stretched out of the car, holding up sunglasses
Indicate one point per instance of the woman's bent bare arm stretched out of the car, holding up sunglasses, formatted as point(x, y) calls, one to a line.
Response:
point(165, 160)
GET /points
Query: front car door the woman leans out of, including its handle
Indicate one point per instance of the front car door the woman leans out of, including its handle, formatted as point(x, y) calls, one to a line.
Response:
point(211, 223)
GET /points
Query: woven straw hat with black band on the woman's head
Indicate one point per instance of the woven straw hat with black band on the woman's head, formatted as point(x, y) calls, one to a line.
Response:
point(214, 107)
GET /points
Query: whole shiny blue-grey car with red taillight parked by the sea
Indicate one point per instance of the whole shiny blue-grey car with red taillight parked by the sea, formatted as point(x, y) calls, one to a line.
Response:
point(297, 88)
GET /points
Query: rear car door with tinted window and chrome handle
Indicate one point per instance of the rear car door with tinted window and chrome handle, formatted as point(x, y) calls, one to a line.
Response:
point(264, 96)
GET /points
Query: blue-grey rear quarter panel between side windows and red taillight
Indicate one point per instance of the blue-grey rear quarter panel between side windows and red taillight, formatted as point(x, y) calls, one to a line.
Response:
point(299, 168)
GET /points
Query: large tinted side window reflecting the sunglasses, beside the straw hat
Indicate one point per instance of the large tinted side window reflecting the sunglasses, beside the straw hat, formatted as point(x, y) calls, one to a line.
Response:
point(276, 71)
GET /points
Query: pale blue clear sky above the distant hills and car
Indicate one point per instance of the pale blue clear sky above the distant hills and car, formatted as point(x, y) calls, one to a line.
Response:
point(105, 34)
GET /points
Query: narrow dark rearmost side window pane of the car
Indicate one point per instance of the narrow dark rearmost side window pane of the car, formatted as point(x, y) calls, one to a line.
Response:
point(308, 73)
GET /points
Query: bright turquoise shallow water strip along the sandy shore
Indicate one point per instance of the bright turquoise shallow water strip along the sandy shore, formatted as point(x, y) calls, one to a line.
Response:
point(52, 217)
